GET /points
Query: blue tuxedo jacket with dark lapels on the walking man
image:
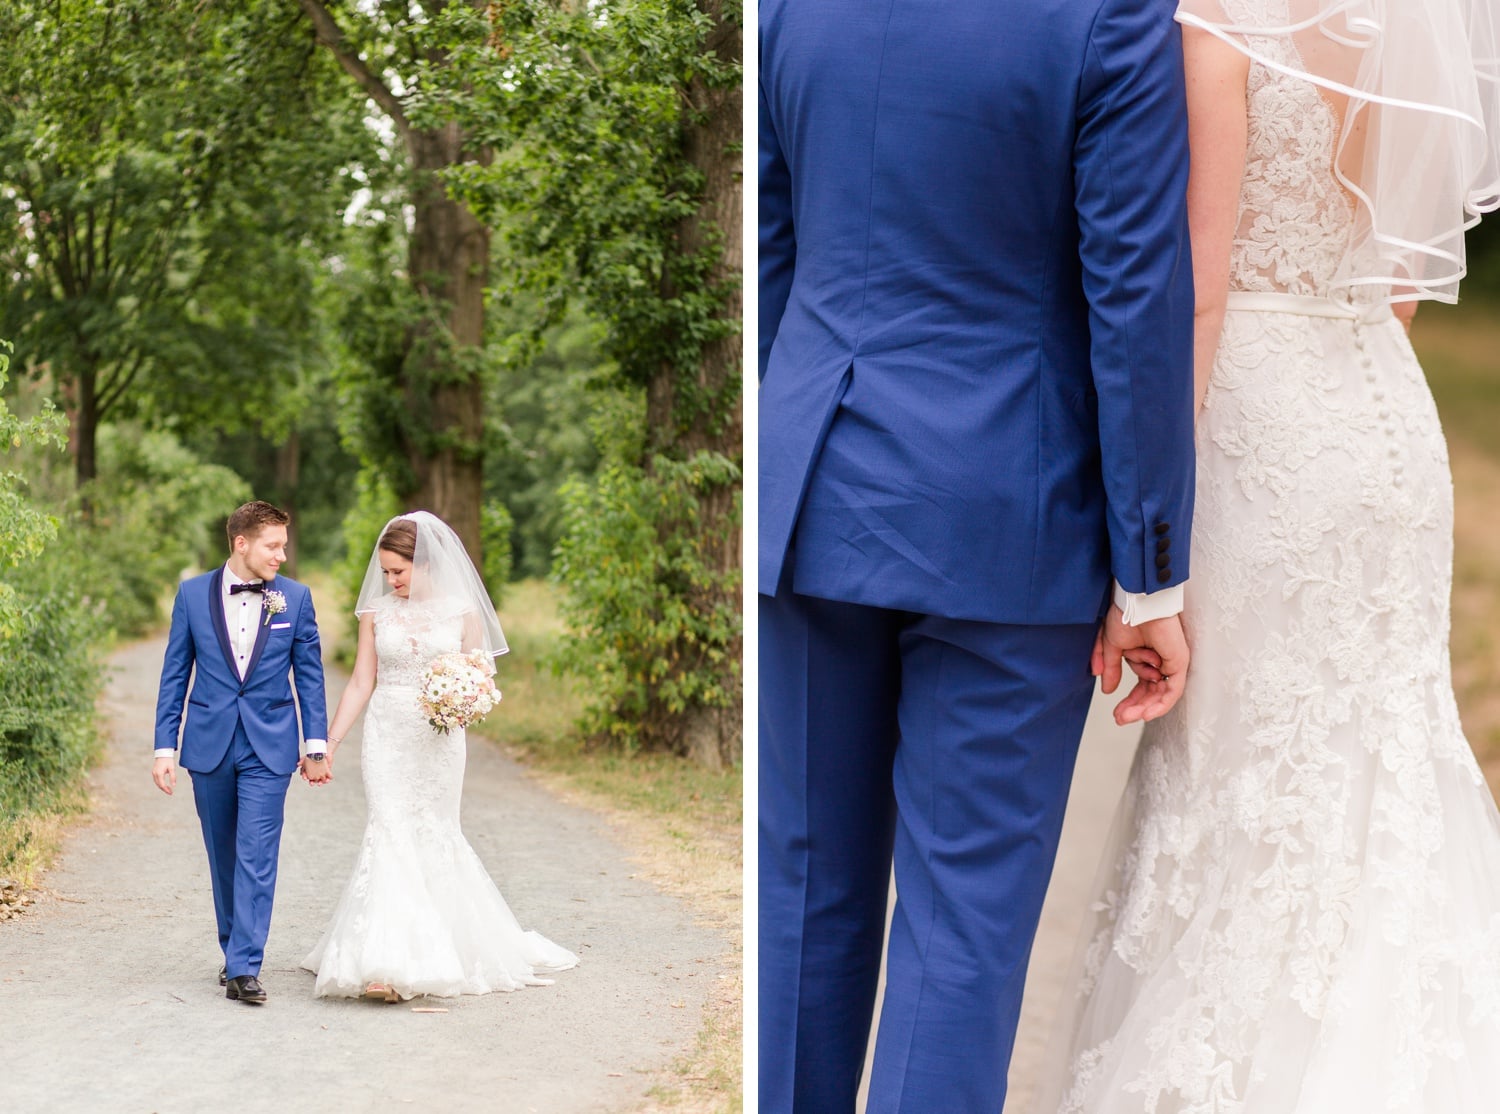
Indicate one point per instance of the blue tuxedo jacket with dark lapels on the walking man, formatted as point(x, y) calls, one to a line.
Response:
point(218, 702)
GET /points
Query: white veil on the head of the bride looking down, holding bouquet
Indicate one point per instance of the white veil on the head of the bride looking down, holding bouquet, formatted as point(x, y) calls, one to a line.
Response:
point(445, 584)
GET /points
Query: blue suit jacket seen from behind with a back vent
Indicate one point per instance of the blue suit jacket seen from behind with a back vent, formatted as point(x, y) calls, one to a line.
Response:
point(976, 304)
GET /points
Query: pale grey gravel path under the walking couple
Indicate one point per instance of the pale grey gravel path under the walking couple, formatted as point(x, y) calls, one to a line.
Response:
point(110, 999)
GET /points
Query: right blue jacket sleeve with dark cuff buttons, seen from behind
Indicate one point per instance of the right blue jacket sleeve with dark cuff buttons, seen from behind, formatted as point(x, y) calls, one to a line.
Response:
point(1130, 181)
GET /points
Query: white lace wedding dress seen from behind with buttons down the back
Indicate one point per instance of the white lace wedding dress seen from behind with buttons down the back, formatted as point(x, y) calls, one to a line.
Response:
point(1301, 903)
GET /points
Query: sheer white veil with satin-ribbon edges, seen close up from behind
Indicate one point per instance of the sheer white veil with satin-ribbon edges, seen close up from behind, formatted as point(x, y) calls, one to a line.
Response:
point(1420, 148)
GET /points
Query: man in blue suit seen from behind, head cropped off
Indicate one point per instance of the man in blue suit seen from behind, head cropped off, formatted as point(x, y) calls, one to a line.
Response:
point(976, 446)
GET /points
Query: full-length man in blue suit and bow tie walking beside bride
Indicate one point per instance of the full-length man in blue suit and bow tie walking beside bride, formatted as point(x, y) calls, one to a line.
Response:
point(242, 635)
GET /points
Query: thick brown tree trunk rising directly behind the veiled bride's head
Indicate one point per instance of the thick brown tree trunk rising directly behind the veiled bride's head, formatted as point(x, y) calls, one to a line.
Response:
point(449, 262)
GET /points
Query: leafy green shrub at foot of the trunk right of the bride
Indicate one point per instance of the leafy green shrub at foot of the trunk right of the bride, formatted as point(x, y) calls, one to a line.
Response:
point(655, 626)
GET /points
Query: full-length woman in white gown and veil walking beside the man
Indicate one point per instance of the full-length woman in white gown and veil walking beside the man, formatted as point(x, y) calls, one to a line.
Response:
point(421, 915)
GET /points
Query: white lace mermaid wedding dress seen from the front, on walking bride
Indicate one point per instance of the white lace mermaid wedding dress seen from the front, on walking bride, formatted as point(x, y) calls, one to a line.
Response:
point(421, 914)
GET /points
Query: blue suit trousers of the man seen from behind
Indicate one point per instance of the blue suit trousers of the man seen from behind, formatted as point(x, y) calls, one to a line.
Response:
point(947, 747)
